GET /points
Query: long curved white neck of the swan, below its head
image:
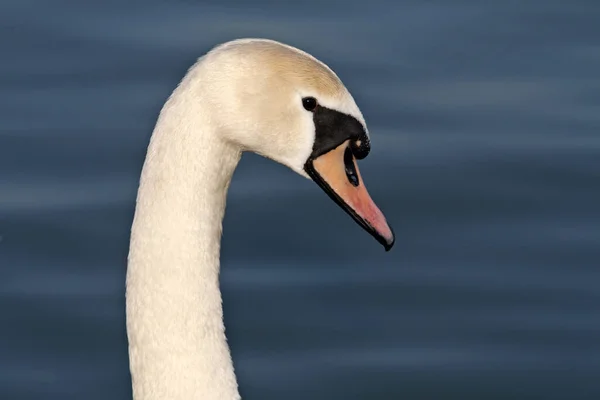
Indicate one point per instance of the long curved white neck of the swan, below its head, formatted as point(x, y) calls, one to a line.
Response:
point(177, 343)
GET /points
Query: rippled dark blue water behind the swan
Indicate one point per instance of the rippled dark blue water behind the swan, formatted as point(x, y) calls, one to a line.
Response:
point(485, 122)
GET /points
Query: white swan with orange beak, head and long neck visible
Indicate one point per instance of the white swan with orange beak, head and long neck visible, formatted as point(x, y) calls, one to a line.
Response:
point(254, 95)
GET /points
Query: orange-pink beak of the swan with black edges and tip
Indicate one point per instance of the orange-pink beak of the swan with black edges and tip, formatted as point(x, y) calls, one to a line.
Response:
point(336, 172)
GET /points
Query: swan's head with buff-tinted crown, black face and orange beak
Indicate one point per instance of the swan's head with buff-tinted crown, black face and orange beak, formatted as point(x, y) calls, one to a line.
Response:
point(284, 104)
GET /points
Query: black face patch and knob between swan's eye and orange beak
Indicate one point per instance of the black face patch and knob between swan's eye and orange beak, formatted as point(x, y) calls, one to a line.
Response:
point(334, 128)
